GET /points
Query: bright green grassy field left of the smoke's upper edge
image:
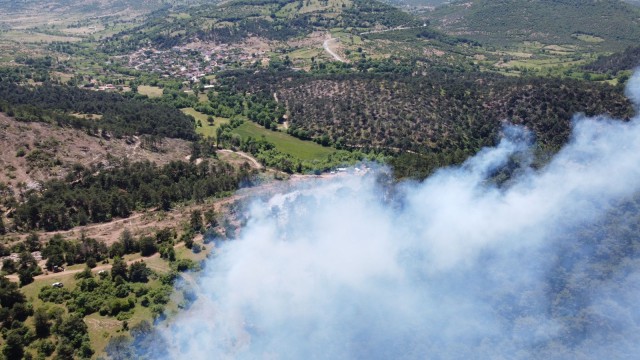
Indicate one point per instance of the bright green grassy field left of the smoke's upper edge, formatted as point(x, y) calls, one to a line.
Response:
point(304, 150)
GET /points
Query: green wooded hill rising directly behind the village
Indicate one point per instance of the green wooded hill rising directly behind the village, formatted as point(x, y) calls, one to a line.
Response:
point(276, 20)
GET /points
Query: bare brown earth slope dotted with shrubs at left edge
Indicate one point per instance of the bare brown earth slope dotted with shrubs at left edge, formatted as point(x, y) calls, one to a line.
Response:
point(60, 148)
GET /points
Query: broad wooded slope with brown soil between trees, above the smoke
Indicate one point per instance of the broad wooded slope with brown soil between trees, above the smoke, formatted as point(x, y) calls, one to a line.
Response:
point(437, 112)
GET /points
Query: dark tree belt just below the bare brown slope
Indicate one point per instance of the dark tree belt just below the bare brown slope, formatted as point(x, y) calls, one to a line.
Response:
point(99, 195)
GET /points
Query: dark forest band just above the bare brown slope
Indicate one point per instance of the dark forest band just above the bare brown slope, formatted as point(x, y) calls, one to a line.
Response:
point(121, 115)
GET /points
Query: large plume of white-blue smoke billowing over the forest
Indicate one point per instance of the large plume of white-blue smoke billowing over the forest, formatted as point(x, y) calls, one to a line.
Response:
point(453, 267)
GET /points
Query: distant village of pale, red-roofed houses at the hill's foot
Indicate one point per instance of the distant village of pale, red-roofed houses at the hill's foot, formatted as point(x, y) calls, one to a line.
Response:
point(190, 62)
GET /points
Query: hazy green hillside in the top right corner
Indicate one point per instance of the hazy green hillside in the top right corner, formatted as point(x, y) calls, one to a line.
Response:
point(610, 24)
